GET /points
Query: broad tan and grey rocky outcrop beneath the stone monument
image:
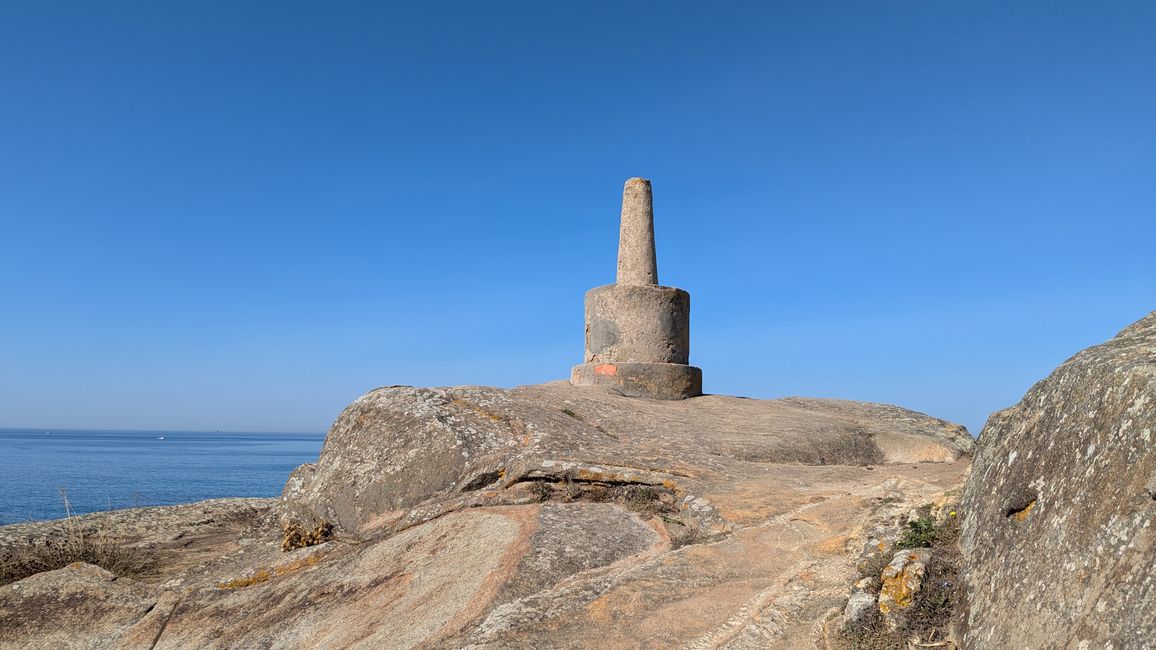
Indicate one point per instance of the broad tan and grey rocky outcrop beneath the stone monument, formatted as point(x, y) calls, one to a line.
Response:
point(542, 516)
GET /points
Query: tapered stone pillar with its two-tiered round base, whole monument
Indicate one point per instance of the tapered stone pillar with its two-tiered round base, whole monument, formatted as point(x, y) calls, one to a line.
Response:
point(639, 333)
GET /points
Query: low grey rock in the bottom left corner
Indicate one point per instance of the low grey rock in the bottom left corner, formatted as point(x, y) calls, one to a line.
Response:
point(79, 607)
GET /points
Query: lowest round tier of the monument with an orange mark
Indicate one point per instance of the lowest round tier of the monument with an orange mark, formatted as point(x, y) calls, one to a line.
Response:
point(655, 381)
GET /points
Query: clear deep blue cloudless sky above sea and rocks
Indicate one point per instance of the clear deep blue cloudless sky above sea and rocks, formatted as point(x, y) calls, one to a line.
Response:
point(242, 216)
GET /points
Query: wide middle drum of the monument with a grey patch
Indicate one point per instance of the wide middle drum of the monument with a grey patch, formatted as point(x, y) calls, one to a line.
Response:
point(633, 323)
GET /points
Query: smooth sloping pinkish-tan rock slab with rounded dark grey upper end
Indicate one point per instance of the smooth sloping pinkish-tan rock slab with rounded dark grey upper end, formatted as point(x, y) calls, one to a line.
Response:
point(420, 587)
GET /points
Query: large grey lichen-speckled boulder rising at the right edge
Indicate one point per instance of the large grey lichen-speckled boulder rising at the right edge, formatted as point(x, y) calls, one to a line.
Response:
point(1059, 508)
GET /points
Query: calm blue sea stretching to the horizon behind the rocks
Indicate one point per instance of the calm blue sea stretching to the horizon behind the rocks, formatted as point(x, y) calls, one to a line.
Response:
point(42, 470)
